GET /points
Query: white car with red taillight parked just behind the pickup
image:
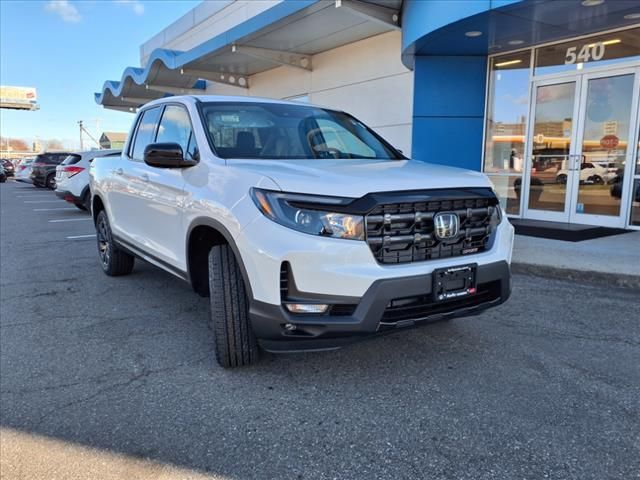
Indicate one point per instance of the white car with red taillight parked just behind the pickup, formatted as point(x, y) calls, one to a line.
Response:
point(72, 177)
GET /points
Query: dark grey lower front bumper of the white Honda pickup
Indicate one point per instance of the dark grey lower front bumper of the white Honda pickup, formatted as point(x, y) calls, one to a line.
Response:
point(279, 330)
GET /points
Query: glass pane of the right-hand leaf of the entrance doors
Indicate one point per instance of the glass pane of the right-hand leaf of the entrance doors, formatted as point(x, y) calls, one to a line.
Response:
point(604, 144)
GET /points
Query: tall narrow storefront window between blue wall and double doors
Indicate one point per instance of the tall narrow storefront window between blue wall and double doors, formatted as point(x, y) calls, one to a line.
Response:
point(506, 126)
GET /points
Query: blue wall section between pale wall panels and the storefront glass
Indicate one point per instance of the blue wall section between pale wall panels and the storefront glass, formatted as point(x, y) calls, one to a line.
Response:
point(448, 110)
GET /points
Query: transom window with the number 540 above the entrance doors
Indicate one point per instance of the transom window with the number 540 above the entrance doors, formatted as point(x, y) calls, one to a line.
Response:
point(596, 51)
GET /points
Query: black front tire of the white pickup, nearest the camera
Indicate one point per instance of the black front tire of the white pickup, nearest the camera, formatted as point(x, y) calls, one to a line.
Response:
point(235, 342)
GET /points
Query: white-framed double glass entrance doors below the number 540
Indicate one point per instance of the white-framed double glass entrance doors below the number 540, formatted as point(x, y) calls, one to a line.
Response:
point(580, 154)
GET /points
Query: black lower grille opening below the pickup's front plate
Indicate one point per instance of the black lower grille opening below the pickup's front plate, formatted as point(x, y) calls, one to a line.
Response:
point(423, 306)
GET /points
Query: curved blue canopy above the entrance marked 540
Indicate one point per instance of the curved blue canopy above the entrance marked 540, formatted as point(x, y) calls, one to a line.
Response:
point(481, 27)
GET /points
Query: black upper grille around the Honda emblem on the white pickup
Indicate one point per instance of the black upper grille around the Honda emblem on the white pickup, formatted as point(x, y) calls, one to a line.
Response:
point(404, 232)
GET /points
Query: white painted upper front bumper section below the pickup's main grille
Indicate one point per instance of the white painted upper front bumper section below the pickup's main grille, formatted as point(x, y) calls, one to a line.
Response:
point(335, 267)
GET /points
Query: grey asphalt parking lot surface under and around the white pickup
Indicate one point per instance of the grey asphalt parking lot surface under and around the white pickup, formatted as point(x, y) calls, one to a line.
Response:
point(545, 386)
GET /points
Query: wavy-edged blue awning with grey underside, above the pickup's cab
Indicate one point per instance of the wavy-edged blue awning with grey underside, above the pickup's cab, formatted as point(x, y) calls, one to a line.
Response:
point(288, 33)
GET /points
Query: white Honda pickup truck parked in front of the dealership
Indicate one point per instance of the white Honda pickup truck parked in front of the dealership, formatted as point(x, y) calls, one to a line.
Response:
point(306, 229)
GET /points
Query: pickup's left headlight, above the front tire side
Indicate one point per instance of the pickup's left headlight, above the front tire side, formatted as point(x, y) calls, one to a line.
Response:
point(282, 208)
